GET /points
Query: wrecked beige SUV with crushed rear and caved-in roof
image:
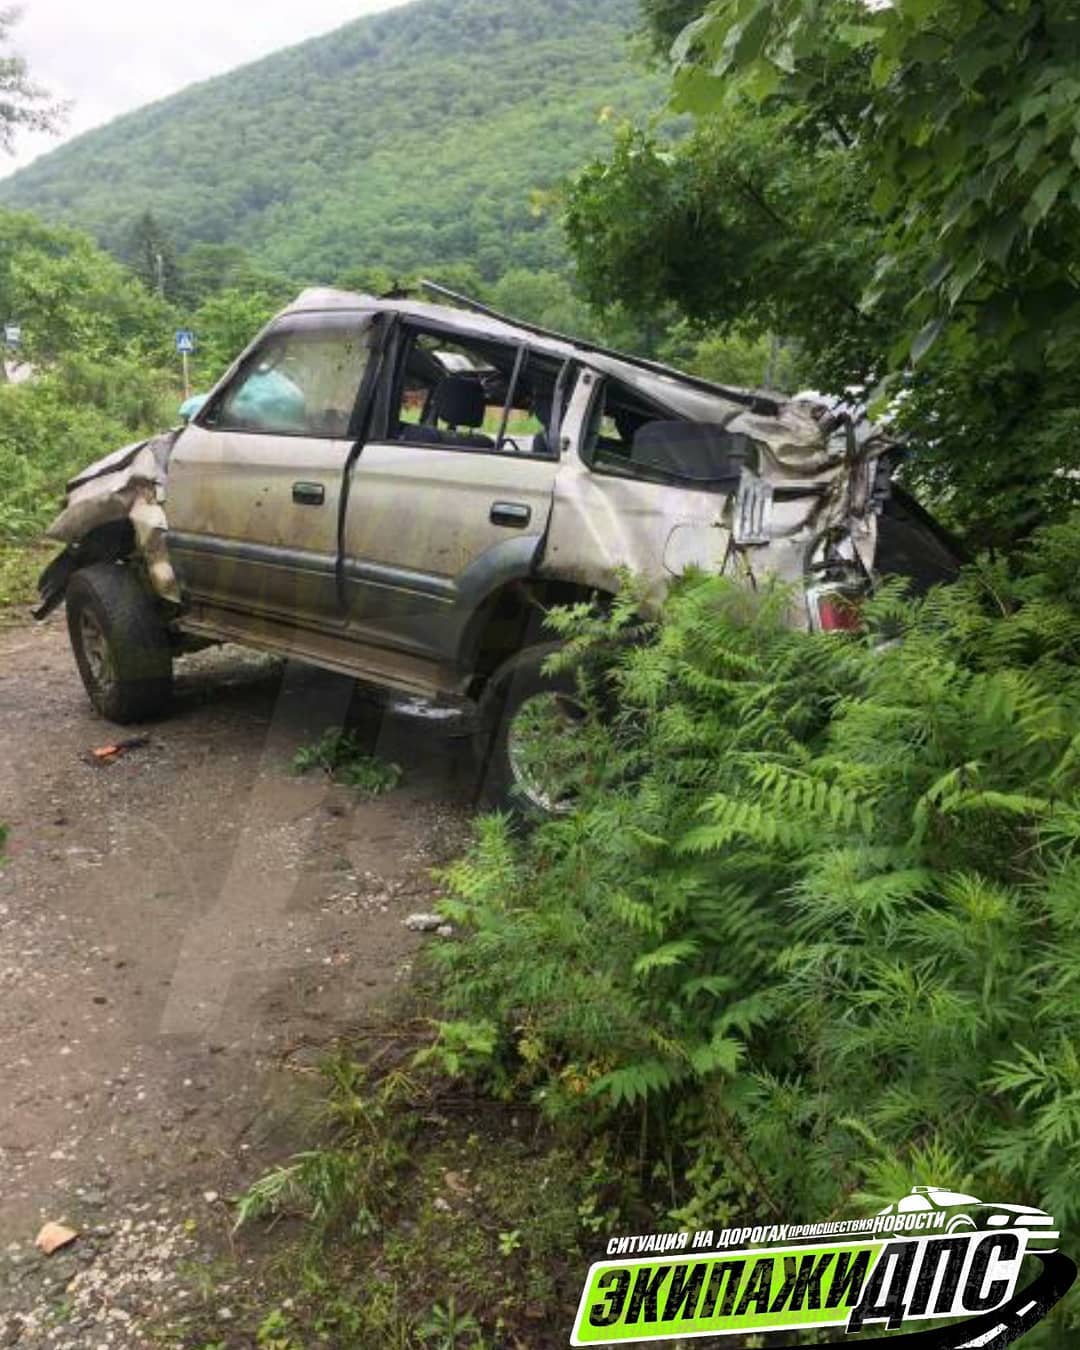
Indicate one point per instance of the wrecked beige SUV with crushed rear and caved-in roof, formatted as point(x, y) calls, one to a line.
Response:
point(399, 491)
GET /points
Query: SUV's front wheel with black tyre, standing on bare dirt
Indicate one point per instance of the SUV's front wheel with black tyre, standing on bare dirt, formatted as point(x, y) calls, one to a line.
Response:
point(121, 645)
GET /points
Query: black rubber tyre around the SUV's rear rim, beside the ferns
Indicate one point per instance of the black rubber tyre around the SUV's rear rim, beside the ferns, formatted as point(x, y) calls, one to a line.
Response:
point(518, 682)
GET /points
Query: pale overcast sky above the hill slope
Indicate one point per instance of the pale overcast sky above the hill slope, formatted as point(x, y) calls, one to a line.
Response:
point(111, 56)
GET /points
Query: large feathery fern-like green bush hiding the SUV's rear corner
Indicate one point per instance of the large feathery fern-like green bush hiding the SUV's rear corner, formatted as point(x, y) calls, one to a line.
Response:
point(816, 924)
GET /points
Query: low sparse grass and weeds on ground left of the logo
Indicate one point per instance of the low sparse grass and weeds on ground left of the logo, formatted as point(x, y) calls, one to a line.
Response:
point(434, 1218)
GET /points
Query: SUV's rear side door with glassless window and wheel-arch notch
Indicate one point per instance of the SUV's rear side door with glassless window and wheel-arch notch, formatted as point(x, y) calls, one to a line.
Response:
point(438, 518)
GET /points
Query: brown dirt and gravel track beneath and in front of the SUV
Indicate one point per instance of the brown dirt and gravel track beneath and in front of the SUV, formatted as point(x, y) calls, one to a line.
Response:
point(173, 927)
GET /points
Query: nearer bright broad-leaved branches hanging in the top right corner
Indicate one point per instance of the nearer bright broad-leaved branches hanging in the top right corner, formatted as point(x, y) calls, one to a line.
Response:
point(967, 126)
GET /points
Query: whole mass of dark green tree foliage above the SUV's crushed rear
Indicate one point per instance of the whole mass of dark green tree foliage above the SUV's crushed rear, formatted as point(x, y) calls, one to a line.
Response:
point(880, 191)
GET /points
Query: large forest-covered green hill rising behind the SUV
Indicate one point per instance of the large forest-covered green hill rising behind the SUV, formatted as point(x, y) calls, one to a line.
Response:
point(404, 140)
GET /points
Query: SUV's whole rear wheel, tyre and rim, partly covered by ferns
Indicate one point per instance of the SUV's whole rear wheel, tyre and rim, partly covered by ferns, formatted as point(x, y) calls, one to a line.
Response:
point(531, 747)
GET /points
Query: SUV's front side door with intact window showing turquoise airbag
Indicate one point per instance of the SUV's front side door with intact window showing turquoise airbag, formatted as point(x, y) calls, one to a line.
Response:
point(256, 484)
